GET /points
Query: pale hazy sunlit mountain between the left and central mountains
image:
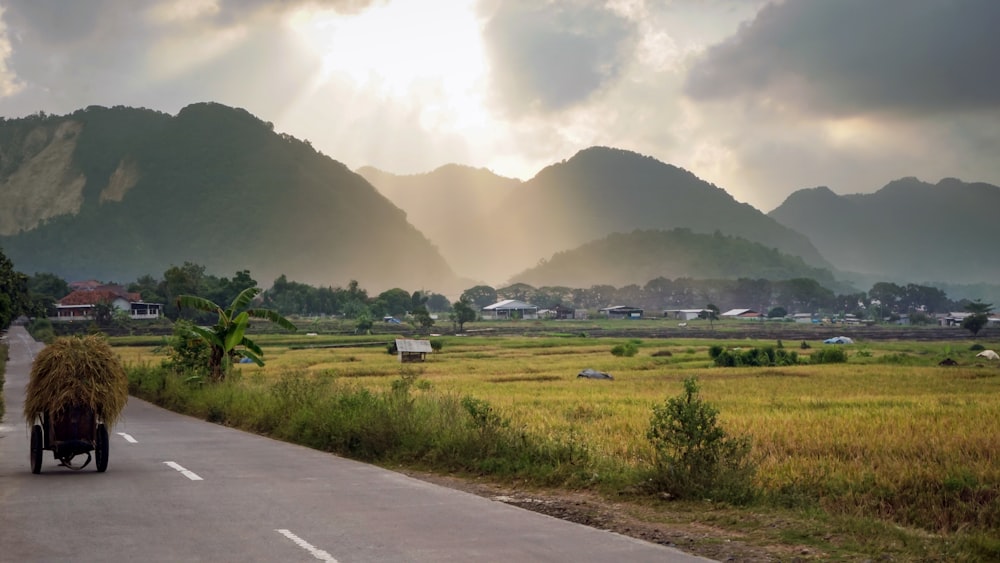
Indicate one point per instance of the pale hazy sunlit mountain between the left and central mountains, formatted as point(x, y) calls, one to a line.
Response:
point(449, 205)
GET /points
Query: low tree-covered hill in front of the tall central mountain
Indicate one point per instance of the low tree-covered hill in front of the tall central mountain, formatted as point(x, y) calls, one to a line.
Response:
point(637, 257)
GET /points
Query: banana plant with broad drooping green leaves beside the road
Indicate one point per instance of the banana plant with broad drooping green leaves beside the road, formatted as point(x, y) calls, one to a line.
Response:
point(226, 337)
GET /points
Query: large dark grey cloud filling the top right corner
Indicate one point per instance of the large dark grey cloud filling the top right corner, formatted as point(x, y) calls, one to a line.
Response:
point(848, 57)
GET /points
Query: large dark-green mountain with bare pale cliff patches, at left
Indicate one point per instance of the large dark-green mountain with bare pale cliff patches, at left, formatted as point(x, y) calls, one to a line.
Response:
point(117, 193)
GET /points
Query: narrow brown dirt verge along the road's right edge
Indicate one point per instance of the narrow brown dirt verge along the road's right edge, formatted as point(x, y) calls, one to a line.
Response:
point(628, 519)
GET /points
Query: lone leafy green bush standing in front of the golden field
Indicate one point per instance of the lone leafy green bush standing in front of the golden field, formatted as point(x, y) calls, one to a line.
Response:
point(695, 458)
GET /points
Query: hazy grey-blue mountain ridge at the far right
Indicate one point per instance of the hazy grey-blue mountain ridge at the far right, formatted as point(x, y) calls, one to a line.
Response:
point(908, 231)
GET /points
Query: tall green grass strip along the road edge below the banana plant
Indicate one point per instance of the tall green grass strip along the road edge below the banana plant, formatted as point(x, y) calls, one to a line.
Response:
point(409, 423)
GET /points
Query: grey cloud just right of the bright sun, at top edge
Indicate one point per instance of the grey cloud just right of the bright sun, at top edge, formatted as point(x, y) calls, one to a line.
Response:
point(547, 56)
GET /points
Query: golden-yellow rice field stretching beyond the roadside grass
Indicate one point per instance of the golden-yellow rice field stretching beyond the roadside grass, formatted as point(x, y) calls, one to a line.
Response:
point(887, 440)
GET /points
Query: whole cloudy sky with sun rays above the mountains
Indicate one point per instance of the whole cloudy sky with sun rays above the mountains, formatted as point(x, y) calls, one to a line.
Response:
point(761, 98)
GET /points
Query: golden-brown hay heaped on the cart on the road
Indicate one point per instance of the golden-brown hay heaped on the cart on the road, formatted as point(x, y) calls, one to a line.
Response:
point(74, 371)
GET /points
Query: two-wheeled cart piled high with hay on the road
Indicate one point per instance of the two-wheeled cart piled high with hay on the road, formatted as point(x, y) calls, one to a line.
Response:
point(77, 390)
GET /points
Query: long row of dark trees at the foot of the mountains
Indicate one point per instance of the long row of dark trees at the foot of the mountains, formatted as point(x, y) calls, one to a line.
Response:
point(885, 300)
